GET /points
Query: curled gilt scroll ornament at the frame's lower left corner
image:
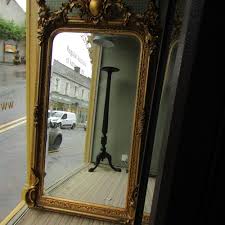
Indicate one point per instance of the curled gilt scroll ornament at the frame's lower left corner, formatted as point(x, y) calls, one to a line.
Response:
point(31, 193)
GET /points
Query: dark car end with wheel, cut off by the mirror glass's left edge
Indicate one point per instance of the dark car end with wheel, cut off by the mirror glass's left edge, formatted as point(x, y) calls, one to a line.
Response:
point(54, 136)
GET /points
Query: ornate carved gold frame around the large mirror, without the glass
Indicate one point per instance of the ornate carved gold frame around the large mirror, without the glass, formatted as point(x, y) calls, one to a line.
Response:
point(95, 16)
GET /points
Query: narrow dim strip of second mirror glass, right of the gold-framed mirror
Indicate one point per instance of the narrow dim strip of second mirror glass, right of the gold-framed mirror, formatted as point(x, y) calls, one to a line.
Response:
point(163, 124)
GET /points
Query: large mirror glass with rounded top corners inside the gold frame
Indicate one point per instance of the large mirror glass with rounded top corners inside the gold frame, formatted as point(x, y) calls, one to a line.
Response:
point(92, 97)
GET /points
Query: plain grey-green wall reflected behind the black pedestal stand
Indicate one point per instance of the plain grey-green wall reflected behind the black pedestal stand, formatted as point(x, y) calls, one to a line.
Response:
point(125, 56)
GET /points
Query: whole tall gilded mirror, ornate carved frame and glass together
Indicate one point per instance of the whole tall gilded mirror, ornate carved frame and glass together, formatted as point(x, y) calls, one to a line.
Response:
point(90, 112)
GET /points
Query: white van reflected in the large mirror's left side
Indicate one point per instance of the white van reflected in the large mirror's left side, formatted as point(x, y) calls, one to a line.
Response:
point(63, 119)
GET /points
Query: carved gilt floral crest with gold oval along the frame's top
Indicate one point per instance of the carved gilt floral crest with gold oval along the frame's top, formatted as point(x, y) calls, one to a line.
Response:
point(100, 12)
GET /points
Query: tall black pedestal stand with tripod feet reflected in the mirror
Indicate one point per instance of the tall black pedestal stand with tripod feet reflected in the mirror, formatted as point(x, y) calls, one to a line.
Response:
point(104, 154)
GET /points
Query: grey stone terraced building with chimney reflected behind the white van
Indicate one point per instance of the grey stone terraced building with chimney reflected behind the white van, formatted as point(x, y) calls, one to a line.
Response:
point(69, 90)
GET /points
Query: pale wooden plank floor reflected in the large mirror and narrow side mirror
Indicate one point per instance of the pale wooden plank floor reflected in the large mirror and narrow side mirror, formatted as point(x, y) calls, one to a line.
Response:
point(104, 186)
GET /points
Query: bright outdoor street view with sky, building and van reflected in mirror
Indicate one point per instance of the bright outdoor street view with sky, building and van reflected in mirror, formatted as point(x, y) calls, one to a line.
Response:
point(68, 106)
